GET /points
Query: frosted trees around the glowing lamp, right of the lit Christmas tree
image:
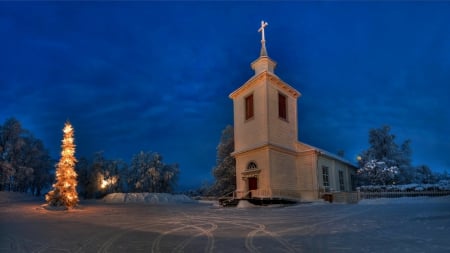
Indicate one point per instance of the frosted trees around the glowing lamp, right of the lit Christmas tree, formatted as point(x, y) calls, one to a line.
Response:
point(146, 173)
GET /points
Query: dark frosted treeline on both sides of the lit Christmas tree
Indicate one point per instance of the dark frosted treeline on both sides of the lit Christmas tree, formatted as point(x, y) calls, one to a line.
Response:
point(26, 166)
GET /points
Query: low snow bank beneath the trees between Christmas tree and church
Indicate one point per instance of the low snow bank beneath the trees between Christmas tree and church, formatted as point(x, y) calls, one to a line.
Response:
point(146, 197)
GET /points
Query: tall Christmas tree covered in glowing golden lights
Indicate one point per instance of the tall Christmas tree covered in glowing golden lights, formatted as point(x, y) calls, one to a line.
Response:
point(64, 191)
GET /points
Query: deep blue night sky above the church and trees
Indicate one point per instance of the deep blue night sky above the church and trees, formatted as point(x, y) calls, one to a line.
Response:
point(155, 76)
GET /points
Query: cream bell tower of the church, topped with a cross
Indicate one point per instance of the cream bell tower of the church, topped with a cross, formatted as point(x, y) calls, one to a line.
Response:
point(265, 129)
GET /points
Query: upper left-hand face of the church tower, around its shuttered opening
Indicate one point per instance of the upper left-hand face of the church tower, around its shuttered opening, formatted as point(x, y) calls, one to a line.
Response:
point(252, 132)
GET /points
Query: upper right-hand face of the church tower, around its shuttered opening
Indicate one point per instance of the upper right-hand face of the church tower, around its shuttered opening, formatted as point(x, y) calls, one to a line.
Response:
point(282, 132)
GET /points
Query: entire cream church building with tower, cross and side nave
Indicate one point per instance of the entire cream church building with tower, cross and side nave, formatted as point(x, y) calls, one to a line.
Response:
point(270, 161)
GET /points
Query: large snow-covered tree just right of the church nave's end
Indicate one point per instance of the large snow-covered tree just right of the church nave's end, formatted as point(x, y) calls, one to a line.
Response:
point(383, 156)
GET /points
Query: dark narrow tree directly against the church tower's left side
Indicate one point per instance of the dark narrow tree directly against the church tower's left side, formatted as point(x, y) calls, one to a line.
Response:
point(225, 169)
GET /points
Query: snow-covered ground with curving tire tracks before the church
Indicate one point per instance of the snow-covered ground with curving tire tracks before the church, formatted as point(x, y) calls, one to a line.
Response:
point(383, 225)
